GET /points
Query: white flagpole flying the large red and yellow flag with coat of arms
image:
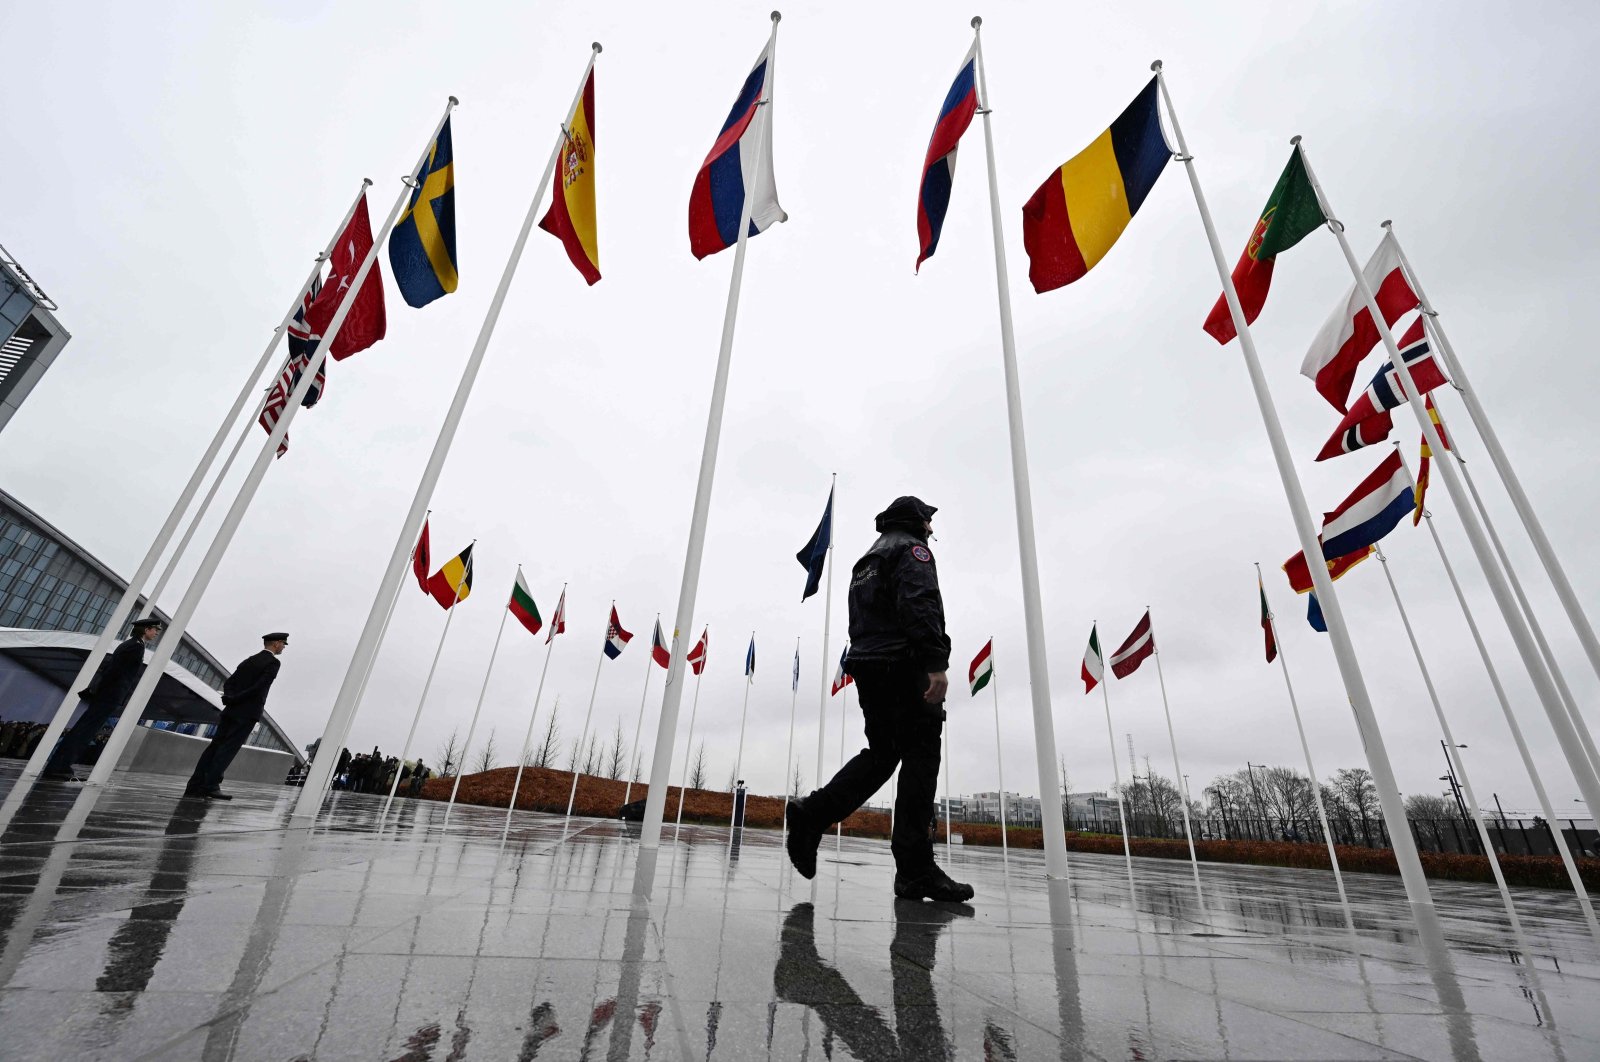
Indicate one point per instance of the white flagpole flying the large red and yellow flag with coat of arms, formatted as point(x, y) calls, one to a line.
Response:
point(367, 645)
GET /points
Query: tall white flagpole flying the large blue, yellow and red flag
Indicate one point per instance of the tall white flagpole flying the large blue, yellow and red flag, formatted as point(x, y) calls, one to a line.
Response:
point(1407, 858)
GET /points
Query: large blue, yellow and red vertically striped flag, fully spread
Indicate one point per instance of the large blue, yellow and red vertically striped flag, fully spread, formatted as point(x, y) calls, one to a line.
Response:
point(1079, 212)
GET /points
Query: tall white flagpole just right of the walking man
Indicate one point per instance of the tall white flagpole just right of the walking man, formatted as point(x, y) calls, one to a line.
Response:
point(1028, 551)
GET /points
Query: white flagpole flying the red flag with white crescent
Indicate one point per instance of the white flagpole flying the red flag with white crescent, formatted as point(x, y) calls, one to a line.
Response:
point(130, 597)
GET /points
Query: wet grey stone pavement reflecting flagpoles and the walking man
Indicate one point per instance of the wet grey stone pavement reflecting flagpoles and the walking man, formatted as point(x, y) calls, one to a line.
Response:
point(137, 925)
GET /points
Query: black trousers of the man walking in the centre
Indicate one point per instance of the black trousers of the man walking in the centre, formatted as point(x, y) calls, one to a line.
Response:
point(905, 732)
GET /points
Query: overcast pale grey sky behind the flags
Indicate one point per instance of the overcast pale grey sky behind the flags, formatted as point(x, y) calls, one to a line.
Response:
point(180, 166)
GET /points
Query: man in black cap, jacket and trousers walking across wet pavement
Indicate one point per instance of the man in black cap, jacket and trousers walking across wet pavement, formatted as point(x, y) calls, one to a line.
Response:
point(898, 657)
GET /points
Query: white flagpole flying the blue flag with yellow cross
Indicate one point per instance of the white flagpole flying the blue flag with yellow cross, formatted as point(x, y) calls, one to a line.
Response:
point(247, 495)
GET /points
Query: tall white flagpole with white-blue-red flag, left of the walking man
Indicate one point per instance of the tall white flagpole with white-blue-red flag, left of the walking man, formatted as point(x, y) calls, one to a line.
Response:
point(668, 725)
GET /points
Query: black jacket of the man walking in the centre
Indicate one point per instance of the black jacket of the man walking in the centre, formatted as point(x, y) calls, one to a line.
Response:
point(897, 613)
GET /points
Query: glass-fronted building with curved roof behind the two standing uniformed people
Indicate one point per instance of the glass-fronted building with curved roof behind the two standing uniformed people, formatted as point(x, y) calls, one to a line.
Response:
point(55, 599)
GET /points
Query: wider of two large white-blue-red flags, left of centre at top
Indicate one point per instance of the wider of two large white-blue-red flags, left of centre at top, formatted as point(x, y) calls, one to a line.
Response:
point(737, 167)
